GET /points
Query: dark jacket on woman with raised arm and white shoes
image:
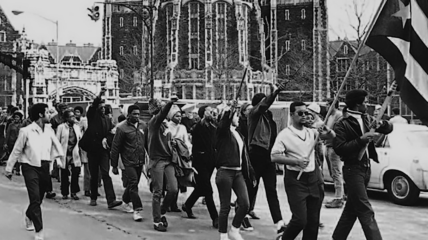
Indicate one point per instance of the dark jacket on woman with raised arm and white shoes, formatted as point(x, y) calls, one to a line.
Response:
point(227, 149)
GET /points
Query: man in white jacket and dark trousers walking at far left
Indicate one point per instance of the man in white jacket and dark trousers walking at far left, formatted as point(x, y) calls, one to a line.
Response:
point(35, 147)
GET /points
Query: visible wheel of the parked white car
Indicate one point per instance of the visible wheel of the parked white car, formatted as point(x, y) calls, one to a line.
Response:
point(402, 190)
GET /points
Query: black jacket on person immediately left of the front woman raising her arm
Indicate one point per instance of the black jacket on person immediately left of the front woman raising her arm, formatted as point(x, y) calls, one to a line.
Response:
point(203, 140)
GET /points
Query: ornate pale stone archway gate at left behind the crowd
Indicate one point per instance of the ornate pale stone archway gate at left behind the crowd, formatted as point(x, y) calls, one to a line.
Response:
point(81, 74)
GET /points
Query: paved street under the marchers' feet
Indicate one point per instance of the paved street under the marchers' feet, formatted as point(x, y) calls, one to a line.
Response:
point(66, 219)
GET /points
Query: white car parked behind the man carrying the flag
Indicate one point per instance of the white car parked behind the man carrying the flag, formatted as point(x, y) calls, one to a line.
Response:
point(403, 164)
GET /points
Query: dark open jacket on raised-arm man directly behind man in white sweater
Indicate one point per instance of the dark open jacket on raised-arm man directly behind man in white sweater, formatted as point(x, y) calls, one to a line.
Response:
point(262, 130)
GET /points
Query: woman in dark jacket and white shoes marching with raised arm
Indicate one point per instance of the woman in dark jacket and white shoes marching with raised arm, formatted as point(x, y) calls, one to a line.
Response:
point(233, 169)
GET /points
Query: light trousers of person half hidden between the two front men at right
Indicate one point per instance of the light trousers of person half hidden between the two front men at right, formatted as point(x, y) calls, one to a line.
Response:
point(335, 169)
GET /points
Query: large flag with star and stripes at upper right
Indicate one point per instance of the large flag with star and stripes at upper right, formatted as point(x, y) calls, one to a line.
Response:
point(400, 35)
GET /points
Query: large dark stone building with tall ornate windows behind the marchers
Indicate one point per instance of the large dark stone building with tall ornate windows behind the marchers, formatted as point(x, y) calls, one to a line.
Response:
point(201, 48)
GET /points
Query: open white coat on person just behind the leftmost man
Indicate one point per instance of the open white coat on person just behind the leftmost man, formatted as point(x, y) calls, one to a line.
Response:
point(62, 133)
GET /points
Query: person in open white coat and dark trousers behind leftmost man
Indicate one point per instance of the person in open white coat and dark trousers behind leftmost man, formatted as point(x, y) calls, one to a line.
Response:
point(69, 134)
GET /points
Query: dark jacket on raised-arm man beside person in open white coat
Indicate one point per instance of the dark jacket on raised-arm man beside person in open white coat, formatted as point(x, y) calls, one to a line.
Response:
point(99, 126)
